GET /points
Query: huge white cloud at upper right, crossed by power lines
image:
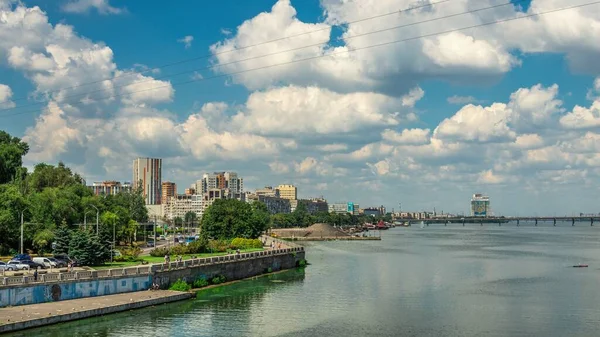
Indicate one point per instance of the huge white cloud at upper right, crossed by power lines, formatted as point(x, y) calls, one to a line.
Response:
point(394, 68)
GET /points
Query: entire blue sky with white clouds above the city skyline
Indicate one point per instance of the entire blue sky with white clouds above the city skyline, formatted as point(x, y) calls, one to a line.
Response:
point(410, 104)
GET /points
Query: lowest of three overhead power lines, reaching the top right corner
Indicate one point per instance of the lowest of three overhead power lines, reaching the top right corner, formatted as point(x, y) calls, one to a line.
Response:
point(350, 50)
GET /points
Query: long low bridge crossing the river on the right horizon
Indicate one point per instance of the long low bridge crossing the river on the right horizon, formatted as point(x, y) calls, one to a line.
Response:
point(502, 219)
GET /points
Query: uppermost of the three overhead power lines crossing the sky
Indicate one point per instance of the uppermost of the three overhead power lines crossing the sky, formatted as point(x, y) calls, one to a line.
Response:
point(236, 49)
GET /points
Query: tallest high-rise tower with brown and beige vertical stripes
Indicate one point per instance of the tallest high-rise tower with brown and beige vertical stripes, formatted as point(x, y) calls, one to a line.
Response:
point(147, 175)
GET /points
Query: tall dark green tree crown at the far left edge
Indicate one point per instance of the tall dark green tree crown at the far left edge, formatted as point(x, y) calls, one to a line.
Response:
point(12, 150)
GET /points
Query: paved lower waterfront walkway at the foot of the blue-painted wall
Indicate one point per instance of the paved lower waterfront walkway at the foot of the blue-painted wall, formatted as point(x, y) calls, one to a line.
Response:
point(34, 315)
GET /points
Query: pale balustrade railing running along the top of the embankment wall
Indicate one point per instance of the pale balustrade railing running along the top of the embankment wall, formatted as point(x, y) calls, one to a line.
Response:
point(144, 269)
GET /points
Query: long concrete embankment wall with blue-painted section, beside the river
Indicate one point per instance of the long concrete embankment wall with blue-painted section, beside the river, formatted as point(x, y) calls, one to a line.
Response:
point(56, 287)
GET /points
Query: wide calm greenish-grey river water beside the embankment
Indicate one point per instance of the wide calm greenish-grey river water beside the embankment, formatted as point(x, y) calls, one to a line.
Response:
point(431, 281)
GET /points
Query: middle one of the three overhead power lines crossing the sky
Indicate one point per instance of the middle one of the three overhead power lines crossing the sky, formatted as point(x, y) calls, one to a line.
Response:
point(318, 44)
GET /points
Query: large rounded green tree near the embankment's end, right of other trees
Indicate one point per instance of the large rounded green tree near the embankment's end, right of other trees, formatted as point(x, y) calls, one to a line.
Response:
point(231, 218)
